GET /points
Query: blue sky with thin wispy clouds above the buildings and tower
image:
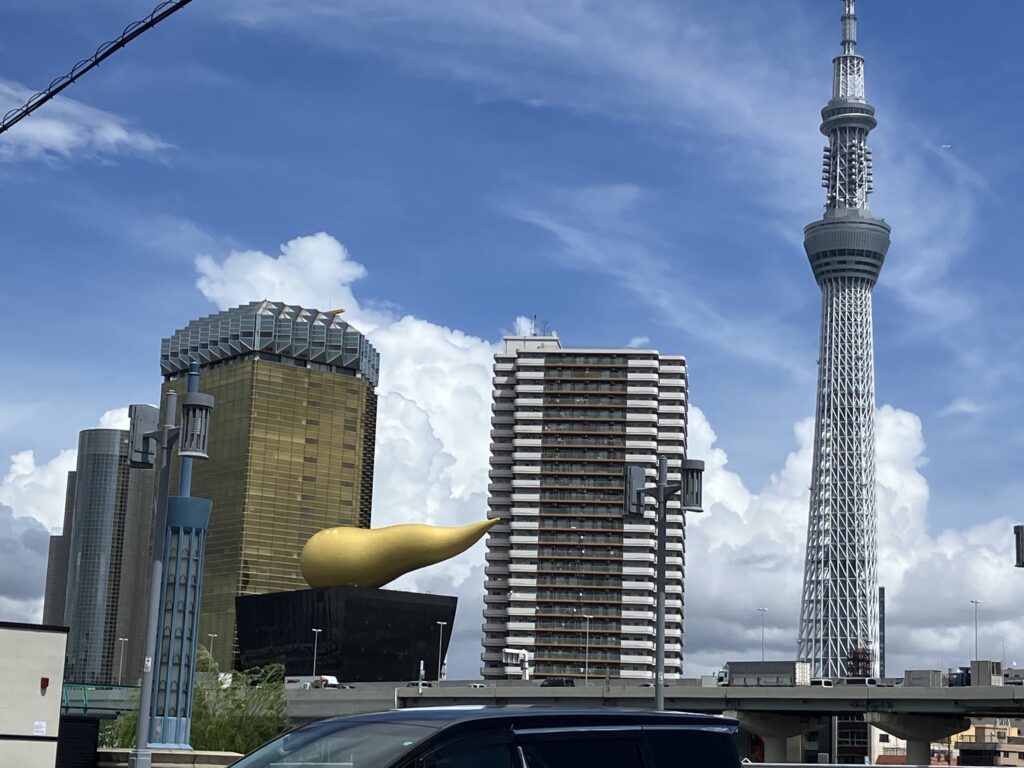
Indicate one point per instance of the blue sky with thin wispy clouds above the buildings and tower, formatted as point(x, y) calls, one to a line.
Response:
point(620, 170)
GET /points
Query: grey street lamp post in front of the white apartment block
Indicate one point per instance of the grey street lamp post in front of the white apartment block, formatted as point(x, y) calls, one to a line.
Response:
point(691, 490)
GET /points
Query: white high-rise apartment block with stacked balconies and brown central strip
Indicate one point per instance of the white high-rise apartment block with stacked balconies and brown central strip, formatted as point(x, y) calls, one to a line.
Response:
point(569, 580)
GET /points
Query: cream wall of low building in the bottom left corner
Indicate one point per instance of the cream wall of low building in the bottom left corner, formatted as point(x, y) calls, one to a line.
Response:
point(30, 715)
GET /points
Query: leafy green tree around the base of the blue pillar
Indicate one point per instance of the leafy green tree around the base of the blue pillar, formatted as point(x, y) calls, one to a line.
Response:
point(234, 712)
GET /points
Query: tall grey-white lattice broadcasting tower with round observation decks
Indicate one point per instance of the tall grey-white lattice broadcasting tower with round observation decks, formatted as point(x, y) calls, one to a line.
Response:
point(839, 618)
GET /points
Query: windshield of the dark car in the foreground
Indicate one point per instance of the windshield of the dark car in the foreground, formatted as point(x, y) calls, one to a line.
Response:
point(339, 745)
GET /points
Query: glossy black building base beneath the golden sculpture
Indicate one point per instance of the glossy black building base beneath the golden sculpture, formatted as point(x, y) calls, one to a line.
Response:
point(369, 635)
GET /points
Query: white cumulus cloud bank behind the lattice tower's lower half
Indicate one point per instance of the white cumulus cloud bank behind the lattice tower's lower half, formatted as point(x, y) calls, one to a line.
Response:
point(747, 551)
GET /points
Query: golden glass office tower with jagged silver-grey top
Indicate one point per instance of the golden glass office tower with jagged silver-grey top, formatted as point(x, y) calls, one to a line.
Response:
point(292, 441)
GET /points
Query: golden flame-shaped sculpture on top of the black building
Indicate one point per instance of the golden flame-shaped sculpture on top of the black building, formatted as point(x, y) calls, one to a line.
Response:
point(363, 558)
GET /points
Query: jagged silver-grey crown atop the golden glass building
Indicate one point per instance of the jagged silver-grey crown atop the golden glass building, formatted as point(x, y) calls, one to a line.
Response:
point(276, 331)
